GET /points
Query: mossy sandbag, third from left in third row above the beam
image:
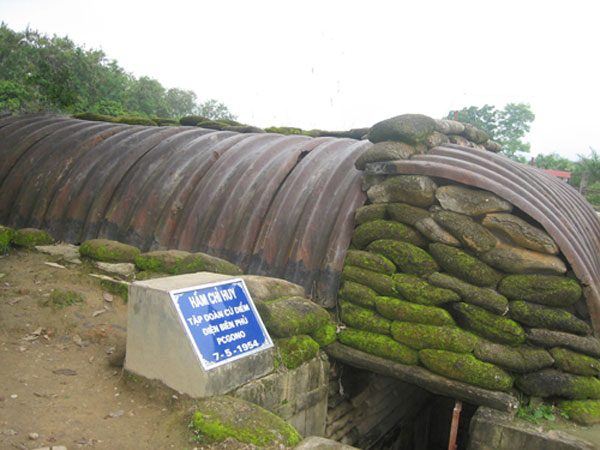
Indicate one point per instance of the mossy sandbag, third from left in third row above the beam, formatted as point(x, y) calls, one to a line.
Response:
point(488, 325)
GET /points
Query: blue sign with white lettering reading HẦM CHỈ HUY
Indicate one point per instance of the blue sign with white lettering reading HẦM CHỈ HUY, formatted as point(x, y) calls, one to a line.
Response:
point(221, 322)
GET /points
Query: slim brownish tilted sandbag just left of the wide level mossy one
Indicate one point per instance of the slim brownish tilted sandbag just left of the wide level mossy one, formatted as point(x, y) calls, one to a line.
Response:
point(484, 297)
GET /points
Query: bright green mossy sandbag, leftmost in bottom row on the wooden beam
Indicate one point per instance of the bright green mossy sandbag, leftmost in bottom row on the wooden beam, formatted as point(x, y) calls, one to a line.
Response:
point(378, 345)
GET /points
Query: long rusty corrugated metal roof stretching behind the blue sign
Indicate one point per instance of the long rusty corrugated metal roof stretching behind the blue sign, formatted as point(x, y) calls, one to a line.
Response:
point(275, 205)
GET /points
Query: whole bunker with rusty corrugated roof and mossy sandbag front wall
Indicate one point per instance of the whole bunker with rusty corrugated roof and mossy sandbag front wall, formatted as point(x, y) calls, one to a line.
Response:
point(297, 208)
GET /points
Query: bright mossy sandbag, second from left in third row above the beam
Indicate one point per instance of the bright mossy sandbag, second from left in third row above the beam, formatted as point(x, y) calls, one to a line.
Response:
point(403, 311)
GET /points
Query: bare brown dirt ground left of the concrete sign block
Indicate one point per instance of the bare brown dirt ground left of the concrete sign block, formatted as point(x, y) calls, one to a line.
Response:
point(57, 384)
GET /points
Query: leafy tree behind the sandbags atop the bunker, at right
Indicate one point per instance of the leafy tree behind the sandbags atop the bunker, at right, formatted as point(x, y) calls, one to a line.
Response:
point(506, 127)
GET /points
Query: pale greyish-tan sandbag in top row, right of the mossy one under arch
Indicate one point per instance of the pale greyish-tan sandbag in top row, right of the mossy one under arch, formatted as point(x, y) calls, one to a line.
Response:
point(470, 201)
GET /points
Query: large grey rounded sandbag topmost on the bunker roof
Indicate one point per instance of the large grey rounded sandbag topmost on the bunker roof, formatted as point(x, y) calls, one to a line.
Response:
point(409, 128)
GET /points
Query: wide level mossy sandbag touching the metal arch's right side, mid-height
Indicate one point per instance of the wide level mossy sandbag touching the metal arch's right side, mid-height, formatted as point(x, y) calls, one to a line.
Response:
point(549, 290)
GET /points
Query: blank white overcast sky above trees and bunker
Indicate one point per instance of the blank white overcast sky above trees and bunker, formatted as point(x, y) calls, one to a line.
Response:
point(338, 65)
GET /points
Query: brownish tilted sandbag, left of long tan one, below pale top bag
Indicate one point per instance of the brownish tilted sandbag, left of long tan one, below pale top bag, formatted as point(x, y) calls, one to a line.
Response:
point(466, 230)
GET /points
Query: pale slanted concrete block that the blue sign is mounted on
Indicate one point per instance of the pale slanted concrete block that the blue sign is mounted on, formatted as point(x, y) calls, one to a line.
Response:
point(158, 346)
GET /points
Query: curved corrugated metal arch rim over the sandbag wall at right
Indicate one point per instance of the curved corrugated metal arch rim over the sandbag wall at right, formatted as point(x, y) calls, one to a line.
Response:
point(560, 209)
